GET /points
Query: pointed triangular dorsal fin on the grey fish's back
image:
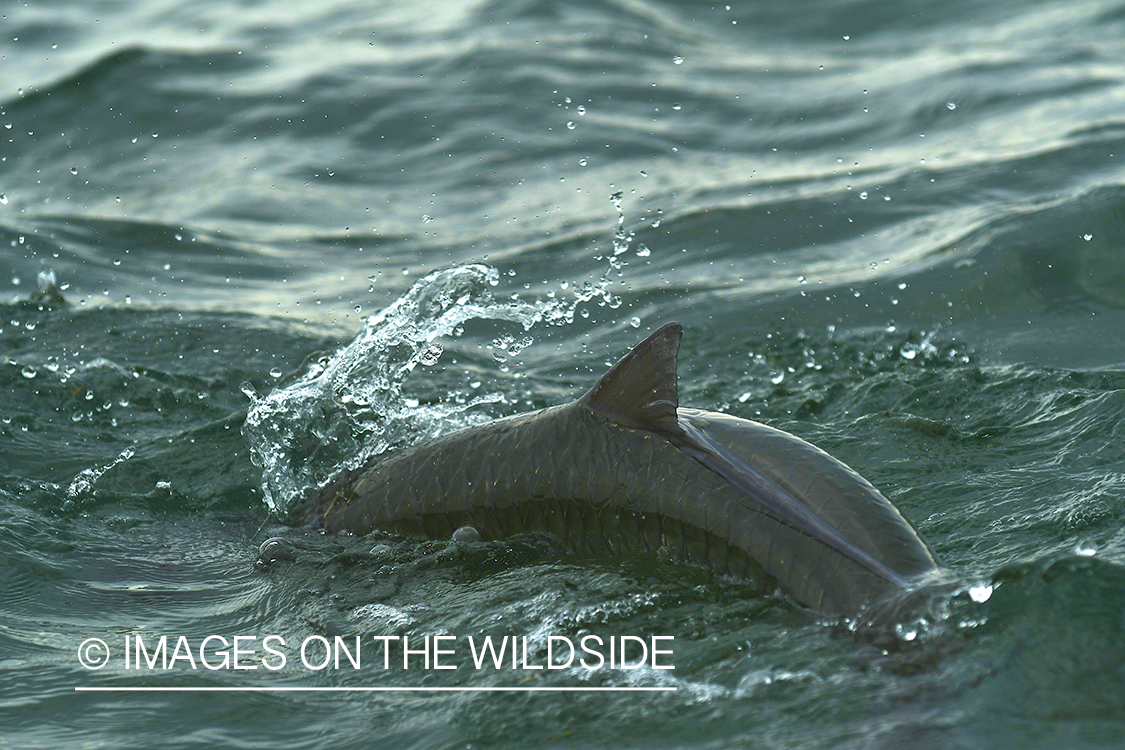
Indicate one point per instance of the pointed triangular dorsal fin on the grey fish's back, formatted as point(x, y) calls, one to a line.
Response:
point(641, 391)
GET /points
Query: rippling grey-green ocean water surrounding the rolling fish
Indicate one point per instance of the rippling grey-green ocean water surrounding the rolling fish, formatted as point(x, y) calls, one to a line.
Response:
point(245, 243)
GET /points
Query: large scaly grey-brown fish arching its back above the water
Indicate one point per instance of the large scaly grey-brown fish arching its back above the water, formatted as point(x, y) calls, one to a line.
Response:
point(626, 471)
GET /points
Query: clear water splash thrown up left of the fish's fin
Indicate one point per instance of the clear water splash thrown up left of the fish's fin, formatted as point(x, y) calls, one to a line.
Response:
point(348, 405)
